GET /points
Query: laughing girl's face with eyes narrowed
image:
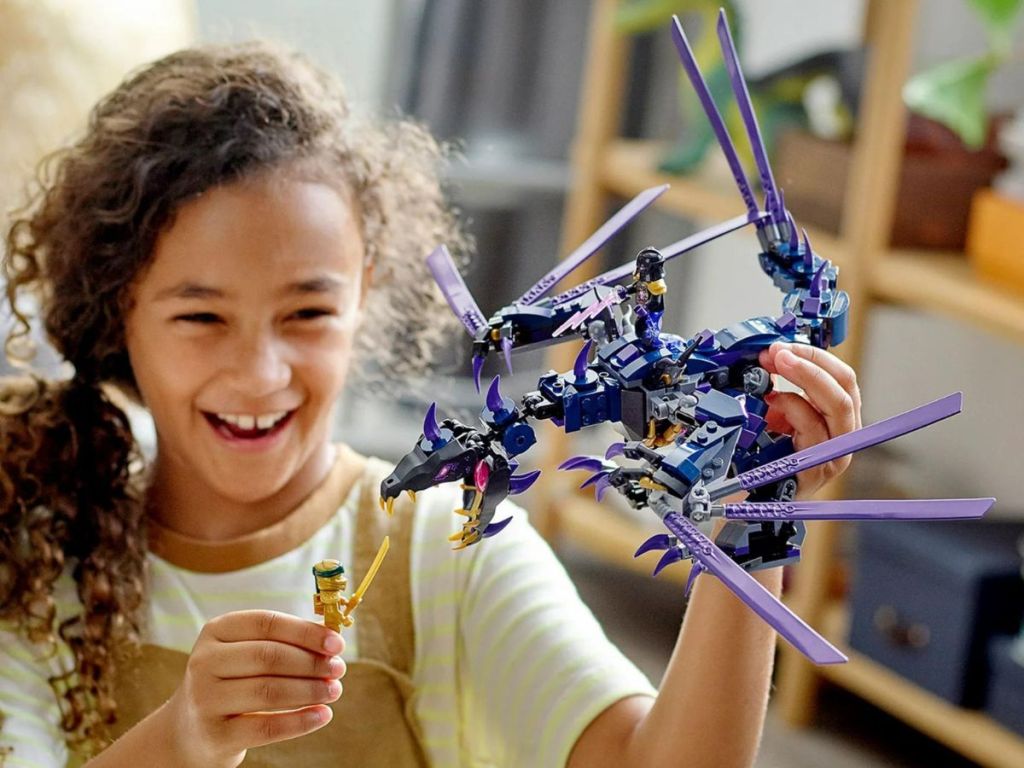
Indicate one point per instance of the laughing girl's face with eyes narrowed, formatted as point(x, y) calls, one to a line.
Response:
point(241, 334)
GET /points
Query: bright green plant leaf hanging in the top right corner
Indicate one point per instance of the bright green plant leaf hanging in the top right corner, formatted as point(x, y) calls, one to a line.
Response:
point(954, 93)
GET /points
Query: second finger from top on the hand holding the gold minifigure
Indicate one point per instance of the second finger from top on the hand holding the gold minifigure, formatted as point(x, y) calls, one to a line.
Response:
point(257, 658)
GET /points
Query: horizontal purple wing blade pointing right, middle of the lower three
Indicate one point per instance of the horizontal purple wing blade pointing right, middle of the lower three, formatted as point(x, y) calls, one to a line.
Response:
point(862, 509)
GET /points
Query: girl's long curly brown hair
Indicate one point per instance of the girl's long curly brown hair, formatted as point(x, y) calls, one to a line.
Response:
point(70, 480)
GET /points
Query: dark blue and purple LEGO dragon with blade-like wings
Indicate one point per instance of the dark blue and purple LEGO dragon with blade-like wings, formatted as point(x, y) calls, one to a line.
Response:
point(694, 409)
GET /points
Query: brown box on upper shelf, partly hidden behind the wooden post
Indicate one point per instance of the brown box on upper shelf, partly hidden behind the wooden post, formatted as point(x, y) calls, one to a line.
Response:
point(938, 178)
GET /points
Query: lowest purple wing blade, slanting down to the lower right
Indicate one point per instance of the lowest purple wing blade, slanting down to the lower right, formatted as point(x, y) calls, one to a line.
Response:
point(761, 602)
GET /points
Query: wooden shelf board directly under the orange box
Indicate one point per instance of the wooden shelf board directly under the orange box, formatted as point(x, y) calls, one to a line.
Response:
point(944, 283)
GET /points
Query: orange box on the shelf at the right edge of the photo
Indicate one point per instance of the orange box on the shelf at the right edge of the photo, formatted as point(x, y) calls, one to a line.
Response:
point(996, 239)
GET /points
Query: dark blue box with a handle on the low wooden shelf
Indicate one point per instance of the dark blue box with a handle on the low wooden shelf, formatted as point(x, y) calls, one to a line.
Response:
point(928, 598)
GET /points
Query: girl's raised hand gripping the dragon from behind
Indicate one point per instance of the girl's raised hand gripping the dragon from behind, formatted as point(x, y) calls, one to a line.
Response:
point(829, 407)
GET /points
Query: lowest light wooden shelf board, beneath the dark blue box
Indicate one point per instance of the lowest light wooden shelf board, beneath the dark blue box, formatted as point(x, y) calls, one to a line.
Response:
point(970, 733)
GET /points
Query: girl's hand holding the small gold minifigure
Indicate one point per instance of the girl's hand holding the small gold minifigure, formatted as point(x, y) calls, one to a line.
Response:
point(254, 677)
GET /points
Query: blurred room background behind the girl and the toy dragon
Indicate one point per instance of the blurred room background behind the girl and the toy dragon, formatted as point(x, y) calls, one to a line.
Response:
point(563, 111)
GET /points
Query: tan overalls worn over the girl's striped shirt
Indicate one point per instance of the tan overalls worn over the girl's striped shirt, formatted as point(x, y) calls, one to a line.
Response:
point(374, 724)
